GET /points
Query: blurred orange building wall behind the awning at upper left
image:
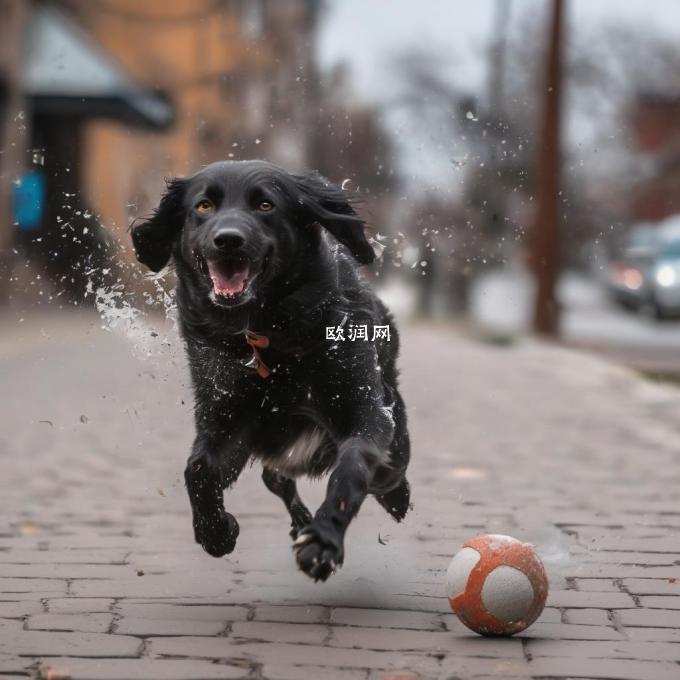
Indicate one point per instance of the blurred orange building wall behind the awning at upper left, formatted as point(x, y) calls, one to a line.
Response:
point(174, 47)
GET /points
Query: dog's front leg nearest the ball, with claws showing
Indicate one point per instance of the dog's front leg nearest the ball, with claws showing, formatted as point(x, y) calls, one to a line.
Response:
point(320, 545)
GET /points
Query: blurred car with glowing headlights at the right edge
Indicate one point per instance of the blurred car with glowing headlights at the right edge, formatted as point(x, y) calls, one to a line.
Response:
point(647, 275)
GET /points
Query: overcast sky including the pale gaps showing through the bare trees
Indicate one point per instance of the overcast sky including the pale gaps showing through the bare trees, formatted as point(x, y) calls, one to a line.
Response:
point(367, 34)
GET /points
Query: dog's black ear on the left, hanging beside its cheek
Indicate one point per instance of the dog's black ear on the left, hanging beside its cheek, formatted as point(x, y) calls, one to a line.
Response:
point(153, 238)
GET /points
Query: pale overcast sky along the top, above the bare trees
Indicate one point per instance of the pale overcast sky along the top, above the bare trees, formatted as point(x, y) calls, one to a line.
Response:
point(365, 33)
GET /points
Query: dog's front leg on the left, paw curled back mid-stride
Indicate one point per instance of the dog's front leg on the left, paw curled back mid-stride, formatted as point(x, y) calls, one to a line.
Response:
point(207, 474)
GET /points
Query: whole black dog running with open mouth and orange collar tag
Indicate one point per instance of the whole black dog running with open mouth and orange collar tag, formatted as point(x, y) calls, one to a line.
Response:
point(265, 265)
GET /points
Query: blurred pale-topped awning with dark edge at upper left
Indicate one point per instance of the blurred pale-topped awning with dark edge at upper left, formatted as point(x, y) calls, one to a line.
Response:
point(66, 73)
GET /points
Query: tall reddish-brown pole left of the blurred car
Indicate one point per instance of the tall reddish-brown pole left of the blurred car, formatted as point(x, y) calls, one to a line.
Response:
point(545, 235)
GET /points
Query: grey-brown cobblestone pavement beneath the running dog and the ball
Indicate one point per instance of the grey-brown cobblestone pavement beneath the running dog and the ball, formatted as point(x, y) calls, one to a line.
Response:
point(100, 578)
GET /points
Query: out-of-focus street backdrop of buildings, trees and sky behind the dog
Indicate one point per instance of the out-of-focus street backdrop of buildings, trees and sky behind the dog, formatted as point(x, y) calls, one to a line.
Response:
point(519, 161)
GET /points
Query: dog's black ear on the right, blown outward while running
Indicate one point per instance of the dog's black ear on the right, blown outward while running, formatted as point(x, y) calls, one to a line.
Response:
point(331, 206)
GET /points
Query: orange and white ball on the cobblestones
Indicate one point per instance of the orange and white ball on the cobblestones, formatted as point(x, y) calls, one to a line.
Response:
point(496, 585)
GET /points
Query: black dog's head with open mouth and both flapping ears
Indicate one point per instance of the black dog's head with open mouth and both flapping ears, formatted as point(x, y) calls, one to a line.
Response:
point(236, 226)
